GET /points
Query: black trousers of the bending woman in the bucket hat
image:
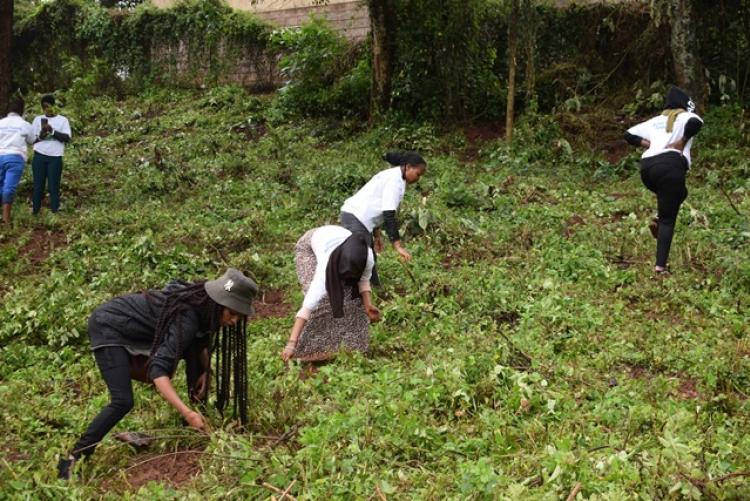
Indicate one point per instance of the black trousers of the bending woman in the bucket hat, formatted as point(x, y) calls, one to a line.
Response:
point(114, 365)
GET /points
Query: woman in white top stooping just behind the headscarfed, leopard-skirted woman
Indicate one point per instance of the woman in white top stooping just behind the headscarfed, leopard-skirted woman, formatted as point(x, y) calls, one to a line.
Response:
point(377, 202)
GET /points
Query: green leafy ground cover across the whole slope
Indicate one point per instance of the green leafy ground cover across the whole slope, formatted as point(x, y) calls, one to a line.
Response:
point(525, 350)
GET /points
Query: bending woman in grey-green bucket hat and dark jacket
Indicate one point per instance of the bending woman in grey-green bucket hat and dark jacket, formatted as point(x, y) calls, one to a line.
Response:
point(143, 336)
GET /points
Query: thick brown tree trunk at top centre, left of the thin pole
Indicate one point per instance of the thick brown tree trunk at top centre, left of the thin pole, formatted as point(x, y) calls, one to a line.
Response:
point(383, 29)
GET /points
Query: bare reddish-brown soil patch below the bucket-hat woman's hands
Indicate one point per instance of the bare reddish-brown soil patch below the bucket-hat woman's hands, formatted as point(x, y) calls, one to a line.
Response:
point(175, 468)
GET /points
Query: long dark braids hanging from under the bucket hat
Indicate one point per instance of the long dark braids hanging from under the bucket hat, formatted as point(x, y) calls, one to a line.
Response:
point(229, 346)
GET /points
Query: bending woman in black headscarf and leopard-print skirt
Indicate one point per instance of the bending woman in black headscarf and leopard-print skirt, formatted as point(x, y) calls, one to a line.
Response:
point(334, 267)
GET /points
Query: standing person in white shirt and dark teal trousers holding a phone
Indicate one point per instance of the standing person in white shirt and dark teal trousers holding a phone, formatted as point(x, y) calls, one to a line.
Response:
point(53, 131)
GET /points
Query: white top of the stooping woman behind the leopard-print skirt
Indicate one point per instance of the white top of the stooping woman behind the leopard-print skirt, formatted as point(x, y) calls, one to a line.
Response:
point(381, 193)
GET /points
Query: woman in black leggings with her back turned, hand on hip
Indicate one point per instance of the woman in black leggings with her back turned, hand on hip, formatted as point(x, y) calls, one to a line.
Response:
point(668, 138)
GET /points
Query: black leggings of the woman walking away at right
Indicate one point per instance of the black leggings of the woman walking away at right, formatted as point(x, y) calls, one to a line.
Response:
point(665, 176)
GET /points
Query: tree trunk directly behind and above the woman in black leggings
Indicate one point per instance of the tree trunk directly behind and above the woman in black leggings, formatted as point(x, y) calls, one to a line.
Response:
point(687, 65)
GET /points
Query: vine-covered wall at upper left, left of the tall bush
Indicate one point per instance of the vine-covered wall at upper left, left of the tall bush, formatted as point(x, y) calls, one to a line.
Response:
point(196, 42)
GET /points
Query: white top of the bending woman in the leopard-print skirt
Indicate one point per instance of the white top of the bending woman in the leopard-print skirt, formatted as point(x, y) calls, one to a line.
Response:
point(324, 241)
